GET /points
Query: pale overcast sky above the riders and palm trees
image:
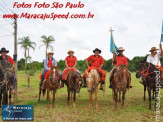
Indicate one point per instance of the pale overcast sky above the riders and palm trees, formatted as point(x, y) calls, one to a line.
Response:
point(136, 23)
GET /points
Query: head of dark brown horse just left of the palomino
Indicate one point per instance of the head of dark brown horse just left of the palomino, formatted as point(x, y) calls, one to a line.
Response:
point(78, 83)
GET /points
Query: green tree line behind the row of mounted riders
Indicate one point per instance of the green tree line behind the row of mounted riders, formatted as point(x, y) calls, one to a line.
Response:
point(81, 65)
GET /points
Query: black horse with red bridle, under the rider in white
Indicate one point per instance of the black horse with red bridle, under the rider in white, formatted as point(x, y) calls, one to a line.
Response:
point(147, 71)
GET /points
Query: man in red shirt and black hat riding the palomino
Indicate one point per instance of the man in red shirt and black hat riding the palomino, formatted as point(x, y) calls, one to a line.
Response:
point(95, 62)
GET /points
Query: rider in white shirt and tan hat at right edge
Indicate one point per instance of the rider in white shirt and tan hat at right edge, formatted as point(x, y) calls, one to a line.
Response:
point(154, 58)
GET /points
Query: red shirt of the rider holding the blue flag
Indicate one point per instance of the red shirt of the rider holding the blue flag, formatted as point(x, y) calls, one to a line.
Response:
point(121, 60)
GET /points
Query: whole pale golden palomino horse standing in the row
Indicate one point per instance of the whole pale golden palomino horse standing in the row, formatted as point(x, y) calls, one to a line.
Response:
point(92, 80)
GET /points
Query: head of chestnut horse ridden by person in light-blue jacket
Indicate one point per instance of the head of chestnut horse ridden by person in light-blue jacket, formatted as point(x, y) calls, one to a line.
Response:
point(53, 75)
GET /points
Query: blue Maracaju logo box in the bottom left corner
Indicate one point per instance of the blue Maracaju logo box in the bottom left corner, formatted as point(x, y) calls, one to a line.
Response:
point(17, 112)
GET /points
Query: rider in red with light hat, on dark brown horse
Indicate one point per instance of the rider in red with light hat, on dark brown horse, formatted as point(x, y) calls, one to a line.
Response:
point(70, 62)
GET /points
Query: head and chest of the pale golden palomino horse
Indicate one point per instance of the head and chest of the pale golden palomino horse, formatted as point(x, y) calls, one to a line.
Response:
point(92, 77)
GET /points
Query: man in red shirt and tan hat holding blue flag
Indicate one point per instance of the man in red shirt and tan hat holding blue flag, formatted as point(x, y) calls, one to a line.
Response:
point(118, 60)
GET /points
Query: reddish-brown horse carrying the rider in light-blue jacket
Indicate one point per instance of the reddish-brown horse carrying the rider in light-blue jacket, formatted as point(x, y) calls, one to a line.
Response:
point(50, 85)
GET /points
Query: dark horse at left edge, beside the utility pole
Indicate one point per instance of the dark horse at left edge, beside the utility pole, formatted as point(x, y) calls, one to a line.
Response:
point(6, 82)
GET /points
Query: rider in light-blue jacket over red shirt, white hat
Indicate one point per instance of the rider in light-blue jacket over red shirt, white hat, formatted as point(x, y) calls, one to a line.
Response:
point(48, 62)
